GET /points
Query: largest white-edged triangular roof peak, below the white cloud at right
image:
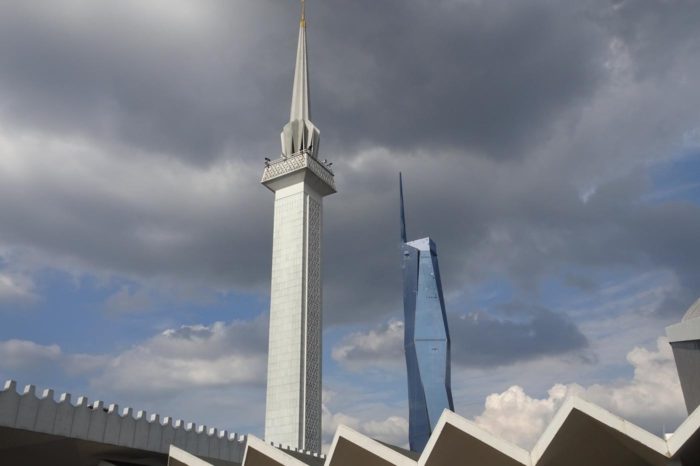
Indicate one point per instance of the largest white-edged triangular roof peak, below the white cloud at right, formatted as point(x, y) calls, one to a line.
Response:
point(582, 433)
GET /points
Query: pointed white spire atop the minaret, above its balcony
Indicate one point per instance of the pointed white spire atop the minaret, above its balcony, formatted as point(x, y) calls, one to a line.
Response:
point(300, 134)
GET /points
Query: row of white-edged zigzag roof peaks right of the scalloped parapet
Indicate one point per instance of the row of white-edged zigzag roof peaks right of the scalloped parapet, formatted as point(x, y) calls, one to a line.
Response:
point(581, 433)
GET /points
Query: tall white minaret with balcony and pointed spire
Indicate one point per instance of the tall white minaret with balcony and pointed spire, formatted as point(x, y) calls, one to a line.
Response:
point(299, 181)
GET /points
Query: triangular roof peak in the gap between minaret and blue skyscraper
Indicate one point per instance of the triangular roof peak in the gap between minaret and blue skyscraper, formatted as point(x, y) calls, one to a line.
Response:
point(351, 448)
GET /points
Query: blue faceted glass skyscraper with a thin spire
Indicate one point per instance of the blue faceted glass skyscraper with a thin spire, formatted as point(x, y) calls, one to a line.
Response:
point(426, 336)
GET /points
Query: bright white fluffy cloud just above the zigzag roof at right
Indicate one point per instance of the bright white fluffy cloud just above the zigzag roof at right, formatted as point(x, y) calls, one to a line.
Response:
point(652, 399)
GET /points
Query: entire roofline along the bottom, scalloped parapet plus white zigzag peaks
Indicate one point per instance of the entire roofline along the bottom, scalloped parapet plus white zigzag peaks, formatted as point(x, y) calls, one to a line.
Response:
point(581, 433)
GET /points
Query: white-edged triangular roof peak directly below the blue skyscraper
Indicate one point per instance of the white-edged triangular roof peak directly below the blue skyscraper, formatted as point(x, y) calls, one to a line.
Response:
point(455, 437)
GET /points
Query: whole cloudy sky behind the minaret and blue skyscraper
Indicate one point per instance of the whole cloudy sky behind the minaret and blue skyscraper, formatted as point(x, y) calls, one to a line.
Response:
point(551, 149)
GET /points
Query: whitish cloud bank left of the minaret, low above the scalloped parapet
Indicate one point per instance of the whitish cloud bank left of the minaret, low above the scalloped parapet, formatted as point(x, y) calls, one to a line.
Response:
point(193, 356)
